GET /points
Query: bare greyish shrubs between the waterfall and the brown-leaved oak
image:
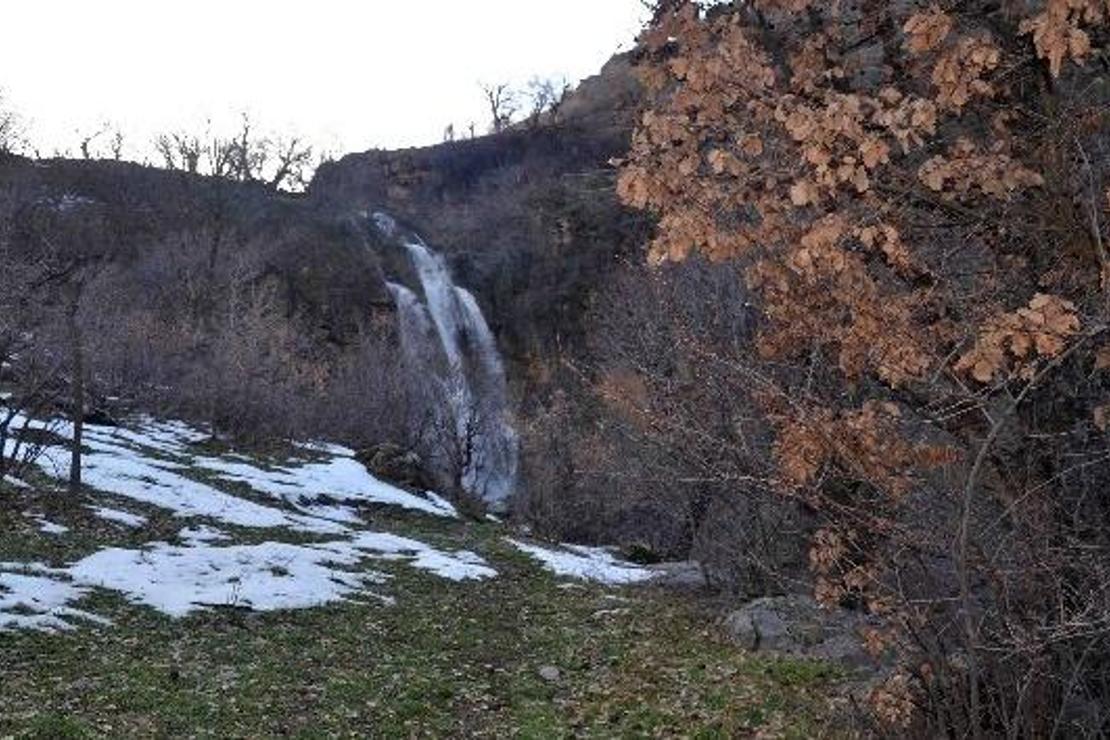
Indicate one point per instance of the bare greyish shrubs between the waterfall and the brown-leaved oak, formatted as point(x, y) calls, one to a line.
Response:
point(655, 441)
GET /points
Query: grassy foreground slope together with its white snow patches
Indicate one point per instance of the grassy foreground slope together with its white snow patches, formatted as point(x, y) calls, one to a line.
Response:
point(446, 630)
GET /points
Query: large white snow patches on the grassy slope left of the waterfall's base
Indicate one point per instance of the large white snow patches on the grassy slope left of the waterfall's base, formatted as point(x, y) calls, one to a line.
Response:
point(155, 464)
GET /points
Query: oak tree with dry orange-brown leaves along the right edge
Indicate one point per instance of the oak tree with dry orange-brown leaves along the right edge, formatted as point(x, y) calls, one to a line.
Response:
point(916, 195)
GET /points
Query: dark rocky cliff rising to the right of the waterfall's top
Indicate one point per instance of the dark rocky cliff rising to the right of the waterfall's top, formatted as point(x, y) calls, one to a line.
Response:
point(528, 218)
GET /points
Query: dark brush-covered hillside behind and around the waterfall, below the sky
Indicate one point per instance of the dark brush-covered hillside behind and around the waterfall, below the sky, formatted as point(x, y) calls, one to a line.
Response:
point(269, 316)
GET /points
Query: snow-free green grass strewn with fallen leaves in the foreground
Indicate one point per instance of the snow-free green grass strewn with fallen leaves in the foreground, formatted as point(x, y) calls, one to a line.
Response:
point(448, 660)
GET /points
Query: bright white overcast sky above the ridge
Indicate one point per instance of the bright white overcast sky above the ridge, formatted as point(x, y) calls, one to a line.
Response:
point(350, 75)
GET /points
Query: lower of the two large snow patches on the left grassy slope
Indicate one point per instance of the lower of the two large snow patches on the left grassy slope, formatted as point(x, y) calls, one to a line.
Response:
point(179, 581)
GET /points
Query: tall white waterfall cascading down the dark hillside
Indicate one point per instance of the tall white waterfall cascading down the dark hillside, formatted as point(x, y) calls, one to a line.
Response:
point(448, 341)
